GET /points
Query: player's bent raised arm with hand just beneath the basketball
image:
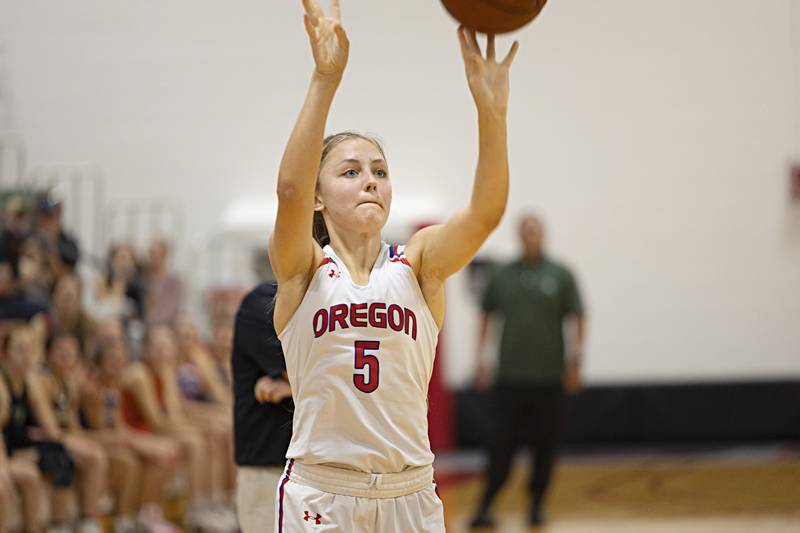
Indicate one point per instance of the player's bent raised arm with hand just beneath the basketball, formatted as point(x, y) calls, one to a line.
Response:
point(438, 251)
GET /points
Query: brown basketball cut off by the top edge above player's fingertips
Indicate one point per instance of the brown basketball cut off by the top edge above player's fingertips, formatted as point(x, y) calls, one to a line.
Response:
point(494, 16)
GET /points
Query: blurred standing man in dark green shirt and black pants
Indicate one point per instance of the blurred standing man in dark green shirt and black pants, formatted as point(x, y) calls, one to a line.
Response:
point(534, 296)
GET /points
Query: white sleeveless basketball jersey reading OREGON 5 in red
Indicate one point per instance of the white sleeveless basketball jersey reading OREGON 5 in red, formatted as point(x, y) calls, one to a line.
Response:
point(359, 360)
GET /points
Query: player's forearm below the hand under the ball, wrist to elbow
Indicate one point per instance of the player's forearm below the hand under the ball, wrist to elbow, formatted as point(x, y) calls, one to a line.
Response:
point(490, 190)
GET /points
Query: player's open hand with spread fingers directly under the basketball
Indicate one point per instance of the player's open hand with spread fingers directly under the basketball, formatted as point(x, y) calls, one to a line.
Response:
point(488, 79)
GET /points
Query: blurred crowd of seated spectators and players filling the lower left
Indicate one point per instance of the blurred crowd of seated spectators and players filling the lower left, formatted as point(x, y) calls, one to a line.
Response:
point(109, 397)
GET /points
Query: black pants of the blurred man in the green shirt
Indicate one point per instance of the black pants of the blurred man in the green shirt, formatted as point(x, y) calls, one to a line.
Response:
point(523, 415)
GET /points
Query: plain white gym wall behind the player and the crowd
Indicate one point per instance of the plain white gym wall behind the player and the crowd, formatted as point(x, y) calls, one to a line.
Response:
point(654, 136)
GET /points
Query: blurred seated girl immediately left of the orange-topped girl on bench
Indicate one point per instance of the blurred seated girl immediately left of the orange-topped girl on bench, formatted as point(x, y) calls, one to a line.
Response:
point(146, 461)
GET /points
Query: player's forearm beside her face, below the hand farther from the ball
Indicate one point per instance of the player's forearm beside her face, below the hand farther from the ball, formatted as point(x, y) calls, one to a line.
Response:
point(300, 164)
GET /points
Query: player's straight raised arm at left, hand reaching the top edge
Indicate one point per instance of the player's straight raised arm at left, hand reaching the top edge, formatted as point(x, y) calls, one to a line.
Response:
point(292, 247)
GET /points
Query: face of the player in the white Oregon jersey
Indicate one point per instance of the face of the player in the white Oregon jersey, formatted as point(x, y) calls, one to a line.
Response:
point(354, 191)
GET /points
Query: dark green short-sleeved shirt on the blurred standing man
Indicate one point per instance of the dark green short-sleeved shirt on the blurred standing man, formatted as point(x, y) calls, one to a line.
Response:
point(532, 298)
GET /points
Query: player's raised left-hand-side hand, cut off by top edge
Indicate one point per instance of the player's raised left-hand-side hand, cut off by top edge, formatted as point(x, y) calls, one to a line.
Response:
point(329, 42)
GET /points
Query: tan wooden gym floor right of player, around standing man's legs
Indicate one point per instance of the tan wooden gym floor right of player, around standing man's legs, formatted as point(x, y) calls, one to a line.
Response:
point(730, 489)
